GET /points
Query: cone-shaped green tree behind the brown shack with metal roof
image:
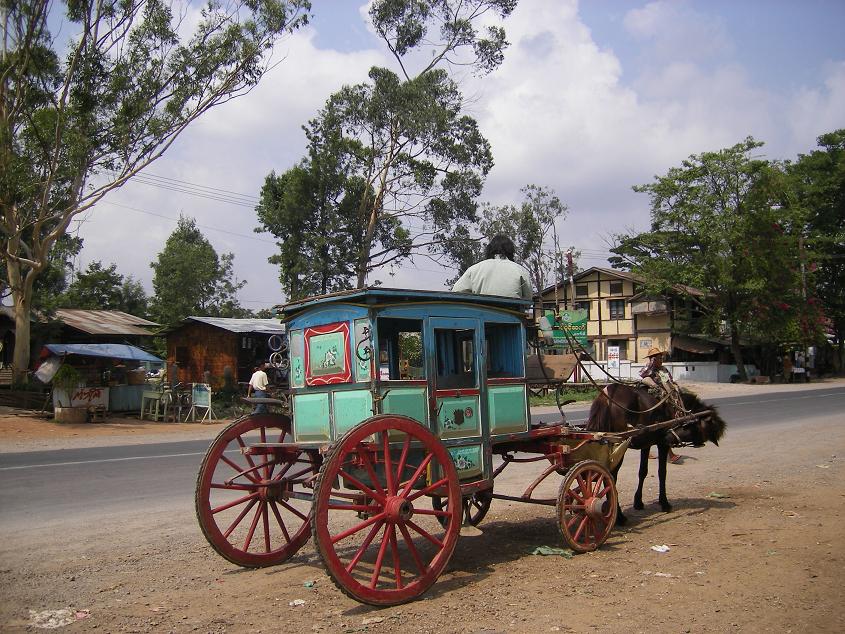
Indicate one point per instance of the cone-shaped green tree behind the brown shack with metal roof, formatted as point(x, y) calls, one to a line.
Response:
point(191, 279)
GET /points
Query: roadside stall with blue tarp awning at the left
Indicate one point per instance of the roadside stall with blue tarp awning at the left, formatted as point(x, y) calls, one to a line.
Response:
point(108, 375)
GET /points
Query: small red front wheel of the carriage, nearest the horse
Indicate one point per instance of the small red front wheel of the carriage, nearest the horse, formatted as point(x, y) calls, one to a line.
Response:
point(586, 506)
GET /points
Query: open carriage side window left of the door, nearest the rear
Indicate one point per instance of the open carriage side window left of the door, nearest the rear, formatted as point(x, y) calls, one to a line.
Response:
point(400, 349)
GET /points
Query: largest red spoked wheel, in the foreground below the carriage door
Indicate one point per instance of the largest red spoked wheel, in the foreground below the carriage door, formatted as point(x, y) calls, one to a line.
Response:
point(380, 541)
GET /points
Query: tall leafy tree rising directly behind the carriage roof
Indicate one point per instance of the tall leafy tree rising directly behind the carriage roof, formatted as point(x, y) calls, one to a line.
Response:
point(394, 168)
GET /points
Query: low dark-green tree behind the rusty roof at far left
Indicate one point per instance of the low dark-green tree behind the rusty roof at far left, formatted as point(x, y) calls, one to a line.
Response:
point(103, 288)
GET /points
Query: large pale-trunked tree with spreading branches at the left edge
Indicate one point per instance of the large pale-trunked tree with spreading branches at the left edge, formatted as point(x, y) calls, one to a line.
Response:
point(80, 118)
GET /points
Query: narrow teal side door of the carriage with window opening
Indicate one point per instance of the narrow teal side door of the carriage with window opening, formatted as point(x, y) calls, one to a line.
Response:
point(457, 397)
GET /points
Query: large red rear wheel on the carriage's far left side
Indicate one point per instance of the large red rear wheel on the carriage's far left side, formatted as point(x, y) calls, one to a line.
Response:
point(253, 510)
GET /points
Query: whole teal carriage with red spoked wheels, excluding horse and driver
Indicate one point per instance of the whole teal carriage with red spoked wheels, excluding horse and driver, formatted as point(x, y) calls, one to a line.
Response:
point(403, 408)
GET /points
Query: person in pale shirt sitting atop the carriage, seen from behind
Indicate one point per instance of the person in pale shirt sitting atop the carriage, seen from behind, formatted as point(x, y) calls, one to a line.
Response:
point(498, 274)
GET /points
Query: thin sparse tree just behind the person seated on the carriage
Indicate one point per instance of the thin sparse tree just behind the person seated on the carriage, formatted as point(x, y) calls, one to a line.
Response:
point(529, 225)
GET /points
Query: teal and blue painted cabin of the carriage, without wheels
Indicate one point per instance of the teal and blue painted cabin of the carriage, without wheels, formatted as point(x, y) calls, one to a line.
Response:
point(453, 363)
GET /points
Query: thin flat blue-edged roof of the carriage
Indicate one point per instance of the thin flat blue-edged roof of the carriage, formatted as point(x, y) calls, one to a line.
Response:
point(379, 296)
